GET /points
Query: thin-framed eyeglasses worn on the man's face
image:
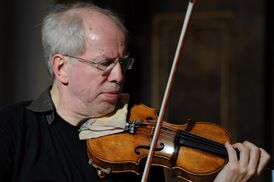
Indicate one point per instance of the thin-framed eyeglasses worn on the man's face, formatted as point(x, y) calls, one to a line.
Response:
point(107, 65)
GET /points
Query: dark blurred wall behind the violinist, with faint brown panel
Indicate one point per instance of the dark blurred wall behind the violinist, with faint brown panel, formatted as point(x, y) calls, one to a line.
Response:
point(225, 74)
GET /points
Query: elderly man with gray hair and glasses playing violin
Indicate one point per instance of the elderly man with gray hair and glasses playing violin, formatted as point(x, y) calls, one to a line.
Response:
point(85, 49)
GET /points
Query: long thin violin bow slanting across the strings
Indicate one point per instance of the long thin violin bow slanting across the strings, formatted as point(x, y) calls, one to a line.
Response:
point(167, 91)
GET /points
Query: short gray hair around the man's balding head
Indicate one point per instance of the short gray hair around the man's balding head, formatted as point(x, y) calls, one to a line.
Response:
point(63, 31)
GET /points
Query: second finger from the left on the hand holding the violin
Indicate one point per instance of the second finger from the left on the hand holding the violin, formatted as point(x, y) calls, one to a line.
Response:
point(244, 158)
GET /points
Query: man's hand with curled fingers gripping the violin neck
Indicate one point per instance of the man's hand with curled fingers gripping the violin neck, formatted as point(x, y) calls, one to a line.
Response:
point(251, 163)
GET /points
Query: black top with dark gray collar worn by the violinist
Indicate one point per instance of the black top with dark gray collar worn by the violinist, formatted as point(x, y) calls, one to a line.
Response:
point(38, 145)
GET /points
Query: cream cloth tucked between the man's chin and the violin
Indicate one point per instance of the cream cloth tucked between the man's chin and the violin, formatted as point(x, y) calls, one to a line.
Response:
point(115, 123)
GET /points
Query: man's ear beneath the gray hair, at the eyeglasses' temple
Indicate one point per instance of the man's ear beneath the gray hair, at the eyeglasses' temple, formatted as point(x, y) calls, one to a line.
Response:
point(60, 68)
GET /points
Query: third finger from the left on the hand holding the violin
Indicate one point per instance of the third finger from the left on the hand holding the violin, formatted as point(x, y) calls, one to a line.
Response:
point(254, 157)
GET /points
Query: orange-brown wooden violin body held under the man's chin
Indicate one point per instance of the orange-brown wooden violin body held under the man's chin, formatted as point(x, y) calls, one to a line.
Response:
point(127, 152)
